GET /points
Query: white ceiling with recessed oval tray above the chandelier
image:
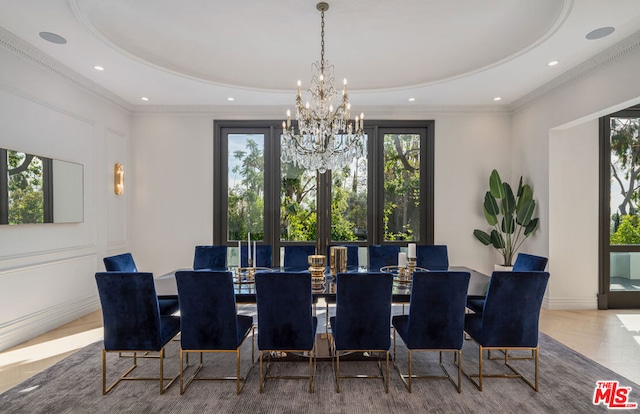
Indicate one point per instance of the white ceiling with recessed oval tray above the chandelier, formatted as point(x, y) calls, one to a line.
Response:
point(440, 52)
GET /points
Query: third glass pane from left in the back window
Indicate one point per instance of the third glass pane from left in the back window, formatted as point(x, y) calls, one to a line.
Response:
point(349, 201)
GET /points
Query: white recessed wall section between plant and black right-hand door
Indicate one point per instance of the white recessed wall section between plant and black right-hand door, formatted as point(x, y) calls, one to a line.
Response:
point(573, 220)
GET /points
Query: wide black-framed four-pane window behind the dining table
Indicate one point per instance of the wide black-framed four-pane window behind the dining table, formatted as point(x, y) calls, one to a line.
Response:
point(385, 197)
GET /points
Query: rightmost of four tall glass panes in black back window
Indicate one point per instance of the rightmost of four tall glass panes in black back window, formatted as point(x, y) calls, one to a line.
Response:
point(401, 187)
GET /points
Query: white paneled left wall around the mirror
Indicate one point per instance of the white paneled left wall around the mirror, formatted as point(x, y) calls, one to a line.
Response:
point(47, 270)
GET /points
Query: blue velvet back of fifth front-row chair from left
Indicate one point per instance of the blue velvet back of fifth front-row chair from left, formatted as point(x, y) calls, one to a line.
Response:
point(436, 312)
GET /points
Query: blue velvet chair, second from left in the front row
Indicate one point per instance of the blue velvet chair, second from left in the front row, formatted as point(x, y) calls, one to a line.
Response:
point(208, 321)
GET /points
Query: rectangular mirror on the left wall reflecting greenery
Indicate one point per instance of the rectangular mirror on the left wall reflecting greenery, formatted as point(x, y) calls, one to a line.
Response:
point(36, 189)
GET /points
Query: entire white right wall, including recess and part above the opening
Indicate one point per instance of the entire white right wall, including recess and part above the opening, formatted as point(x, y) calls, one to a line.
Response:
point(578, 103)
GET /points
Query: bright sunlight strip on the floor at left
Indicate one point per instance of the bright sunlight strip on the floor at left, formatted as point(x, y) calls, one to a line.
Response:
point(50, 348)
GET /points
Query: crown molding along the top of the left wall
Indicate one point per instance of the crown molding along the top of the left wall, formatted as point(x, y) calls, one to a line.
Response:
point(34, 55)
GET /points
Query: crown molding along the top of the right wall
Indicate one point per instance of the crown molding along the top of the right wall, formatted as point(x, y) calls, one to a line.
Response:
point(616, 51)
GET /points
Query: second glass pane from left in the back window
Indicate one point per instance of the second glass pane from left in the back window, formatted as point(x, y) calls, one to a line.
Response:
point(297, 203)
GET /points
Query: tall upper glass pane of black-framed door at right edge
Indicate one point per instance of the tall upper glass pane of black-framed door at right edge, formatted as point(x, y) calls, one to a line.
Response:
point(625, 179)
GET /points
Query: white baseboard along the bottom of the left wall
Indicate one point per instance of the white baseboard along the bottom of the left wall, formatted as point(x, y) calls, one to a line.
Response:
point(20, 330)
